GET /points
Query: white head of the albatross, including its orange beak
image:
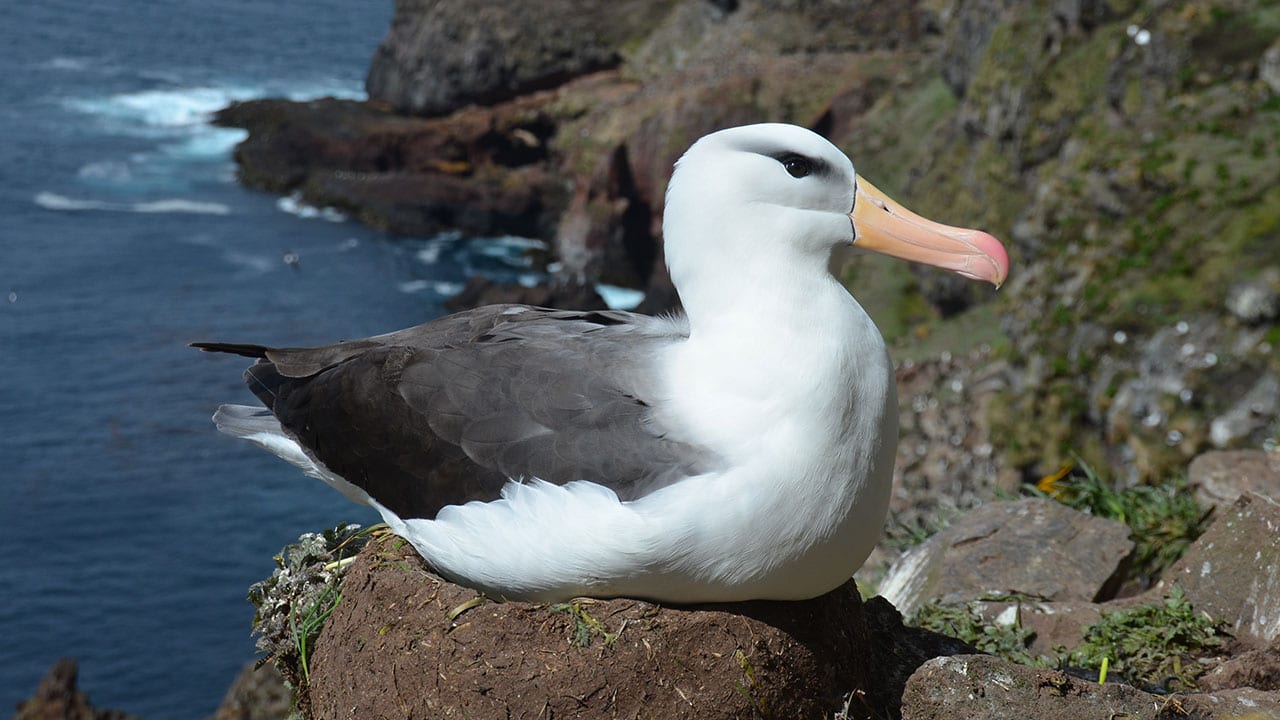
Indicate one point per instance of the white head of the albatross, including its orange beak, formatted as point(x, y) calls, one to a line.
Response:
point(758, 206)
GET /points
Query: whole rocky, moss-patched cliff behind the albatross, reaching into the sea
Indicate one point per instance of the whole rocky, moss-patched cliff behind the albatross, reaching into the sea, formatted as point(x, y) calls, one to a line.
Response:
point(1128, 153)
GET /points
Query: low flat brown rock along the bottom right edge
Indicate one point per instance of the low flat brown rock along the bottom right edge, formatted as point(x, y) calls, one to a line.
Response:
point(980, 686)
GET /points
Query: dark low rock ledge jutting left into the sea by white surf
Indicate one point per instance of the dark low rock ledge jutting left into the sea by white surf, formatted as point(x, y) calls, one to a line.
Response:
point(481, 171)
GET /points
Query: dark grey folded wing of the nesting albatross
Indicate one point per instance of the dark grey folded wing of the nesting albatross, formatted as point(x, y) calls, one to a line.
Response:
point(450, 412)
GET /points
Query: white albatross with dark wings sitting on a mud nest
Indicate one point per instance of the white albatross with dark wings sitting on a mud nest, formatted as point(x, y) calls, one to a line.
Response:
point(742, 450)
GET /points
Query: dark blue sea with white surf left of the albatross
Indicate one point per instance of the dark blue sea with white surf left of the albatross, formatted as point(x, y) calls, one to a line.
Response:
point(130, 530)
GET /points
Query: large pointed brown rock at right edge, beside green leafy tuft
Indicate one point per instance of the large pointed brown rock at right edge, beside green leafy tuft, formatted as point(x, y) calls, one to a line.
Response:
point(1233, 571)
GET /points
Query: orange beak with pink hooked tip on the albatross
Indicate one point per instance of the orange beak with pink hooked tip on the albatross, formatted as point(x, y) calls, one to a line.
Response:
point(884, 226)
